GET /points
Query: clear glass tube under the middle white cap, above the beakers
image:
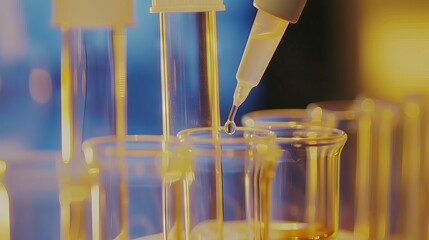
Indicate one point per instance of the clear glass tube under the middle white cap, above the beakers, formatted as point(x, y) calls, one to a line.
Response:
point(189, 70)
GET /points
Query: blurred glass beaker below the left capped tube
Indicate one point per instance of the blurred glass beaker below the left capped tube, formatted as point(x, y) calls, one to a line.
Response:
point(139, 184)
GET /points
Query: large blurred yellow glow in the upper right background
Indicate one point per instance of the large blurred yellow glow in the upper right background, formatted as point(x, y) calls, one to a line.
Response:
point(394, 49)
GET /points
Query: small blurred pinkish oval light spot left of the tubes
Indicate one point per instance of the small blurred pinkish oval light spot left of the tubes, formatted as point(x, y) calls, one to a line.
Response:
point(40, 84)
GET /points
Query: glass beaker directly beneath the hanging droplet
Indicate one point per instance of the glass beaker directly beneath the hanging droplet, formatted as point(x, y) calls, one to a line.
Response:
point(230, 185)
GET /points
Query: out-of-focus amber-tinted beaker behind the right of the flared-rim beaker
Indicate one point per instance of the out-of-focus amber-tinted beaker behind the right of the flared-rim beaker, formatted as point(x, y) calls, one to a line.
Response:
point(368, 165)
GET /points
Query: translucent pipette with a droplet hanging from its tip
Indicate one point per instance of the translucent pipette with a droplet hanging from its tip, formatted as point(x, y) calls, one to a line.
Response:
point(270, 23)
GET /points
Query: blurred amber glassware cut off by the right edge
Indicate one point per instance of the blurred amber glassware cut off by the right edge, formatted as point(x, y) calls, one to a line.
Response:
point(412, 222)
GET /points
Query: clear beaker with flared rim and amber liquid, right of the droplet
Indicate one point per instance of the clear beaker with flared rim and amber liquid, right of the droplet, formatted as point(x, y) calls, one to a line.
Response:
point(303, 205)
